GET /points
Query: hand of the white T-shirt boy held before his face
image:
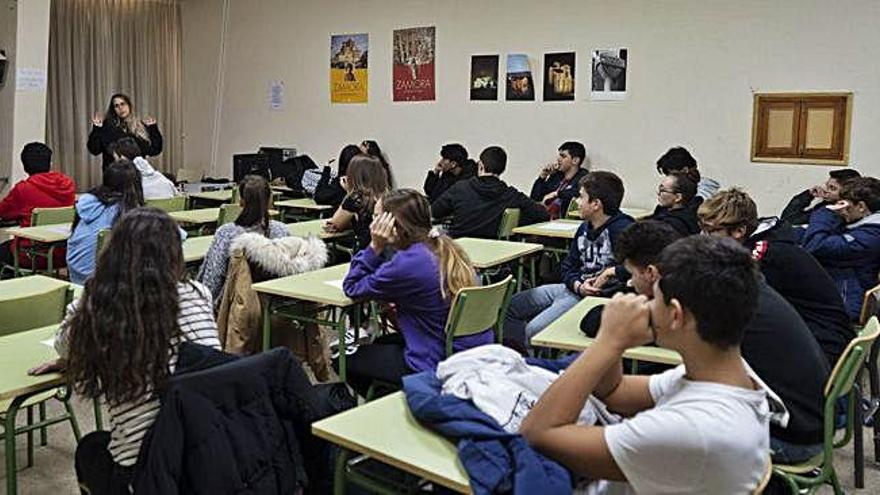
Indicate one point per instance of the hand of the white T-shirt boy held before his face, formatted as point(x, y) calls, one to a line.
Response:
point(626, 322)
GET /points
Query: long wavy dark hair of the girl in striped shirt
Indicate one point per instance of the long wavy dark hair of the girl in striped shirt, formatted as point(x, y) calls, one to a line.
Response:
point(120, 333)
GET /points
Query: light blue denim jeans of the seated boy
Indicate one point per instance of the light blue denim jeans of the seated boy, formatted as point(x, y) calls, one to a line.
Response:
point(532, 310)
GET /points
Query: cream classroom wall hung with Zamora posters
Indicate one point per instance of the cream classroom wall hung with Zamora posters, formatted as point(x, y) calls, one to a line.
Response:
point(693, 67)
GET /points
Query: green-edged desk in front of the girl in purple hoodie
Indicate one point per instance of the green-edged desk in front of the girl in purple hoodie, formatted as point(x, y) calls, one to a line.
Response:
point(323, 287)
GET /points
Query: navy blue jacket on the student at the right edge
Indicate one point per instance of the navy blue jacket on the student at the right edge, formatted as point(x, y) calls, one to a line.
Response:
point(850, 253)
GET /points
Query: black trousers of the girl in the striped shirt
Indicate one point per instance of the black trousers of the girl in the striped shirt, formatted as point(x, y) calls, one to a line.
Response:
point(95, 469)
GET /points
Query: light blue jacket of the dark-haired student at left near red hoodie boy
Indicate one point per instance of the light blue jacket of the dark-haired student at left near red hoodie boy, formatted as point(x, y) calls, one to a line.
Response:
point(83, 242)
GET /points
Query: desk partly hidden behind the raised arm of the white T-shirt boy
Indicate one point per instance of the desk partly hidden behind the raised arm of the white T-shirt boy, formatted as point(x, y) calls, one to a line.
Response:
point(565, 334)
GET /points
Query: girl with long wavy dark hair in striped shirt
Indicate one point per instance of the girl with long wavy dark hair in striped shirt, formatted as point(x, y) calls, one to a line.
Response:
point(119, 341)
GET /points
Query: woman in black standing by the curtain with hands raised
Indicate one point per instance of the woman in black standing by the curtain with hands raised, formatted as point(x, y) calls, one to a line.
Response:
point(120, 121)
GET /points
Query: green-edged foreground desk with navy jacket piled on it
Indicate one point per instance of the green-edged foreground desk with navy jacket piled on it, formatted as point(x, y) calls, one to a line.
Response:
point(385, 430)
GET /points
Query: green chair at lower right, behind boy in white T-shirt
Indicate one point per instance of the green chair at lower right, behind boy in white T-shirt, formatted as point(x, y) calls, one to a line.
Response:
point(813, 473)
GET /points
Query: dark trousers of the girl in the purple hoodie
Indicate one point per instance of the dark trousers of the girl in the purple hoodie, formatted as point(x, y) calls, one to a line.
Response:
point(382, 360)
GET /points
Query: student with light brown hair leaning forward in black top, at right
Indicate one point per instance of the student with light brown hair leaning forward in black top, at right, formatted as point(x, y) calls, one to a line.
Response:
point(796, 275)
